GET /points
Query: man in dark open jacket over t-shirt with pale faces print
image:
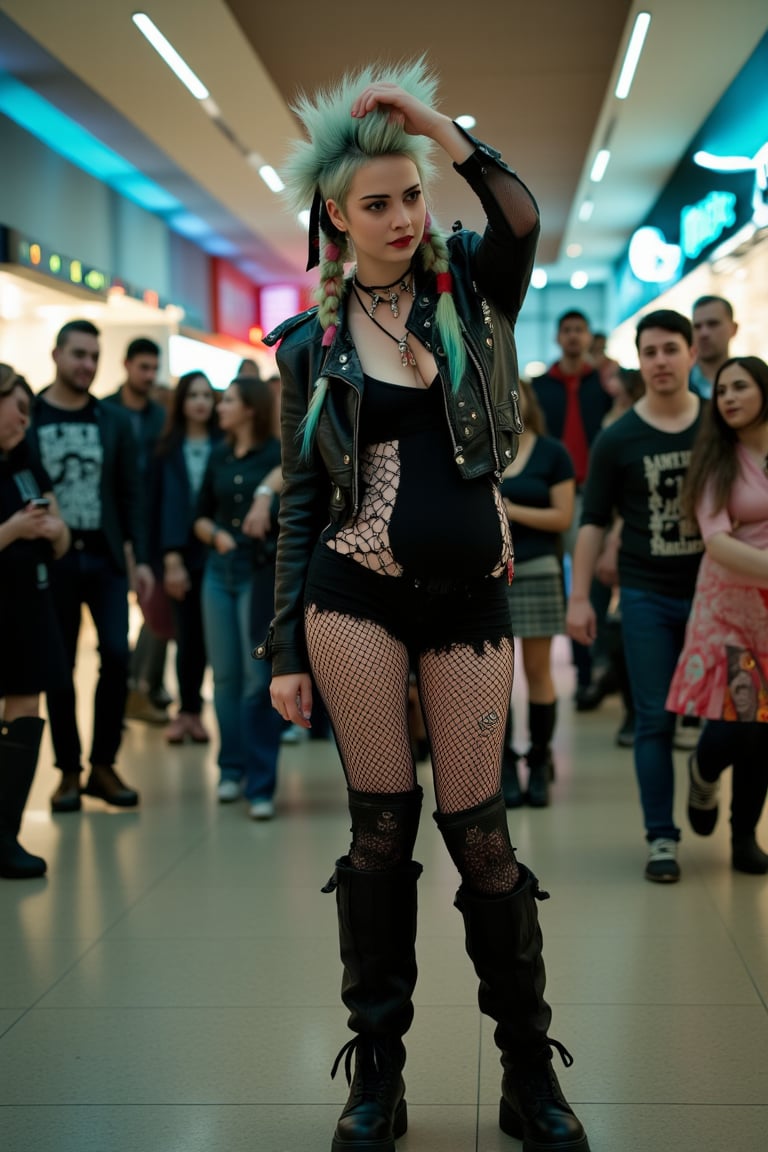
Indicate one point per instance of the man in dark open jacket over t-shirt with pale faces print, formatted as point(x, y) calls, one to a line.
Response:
point(89, 451)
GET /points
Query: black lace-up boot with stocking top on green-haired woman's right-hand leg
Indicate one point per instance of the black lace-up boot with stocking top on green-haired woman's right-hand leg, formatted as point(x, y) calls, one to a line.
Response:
point(504, 942)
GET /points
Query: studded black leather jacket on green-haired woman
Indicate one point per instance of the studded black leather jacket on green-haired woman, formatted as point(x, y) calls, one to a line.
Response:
point(490, 279)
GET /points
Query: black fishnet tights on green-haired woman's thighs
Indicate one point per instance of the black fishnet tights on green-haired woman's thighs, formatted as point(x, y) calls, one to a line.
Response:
point(363, 672)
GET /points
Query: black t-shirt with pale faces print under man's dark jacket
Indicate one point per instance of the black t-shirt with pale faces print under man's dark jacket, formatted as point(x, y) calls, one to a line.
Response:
point(73, 457)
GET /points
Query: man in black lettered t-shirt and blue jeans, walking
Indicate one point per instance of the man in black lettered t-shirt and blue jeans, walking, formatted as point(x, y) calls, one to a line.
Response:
point(636, 473)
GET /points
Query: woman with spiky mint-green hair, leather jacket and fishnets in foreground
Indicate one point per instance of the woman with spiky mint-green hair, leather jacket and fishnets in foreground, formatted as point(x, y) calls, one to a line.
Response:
point(399, 416)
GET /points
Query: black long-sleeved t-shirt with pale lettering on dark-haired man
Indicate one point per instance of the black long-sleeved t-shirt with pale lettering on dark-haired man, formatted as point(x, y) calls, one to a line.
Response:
point(637, 473)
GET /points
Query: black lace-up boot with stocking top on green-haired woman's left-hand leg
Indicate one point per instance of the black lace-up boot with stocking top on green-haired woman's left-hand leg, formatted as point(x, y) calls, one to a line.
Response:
point(377, 938)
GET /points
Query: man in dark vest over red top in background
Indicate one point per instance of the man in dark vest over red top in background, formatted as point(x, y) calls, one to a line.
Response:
point(575, 405)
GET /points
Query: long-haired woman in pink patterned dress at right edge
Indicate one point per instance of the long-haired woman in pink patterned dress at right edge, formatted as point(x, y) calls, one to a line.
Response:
point(723, 674)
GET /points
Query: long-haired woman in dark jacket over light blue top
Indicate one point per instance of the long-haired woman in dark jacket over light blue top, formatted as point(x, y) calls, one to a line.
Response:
point(183, 459)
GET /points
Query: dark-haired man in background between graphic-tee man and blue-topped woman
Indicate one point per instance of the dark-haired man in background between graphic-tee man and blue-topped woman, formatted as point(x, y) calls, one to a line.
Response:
point(148, 699)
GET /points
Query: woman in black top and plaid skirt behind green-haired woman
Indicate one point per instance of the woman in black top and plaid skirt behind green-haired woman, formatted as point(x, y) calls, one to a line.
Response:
point(538, 490)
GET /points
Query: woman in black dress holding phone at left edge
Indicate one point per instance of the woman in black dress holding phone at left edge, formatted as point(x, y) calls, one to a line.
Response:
point(33, 535)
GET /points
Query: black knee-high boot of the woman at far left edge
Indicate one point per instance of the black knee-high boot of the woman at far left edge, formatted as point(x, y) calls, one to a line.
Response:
point(20, 744)
